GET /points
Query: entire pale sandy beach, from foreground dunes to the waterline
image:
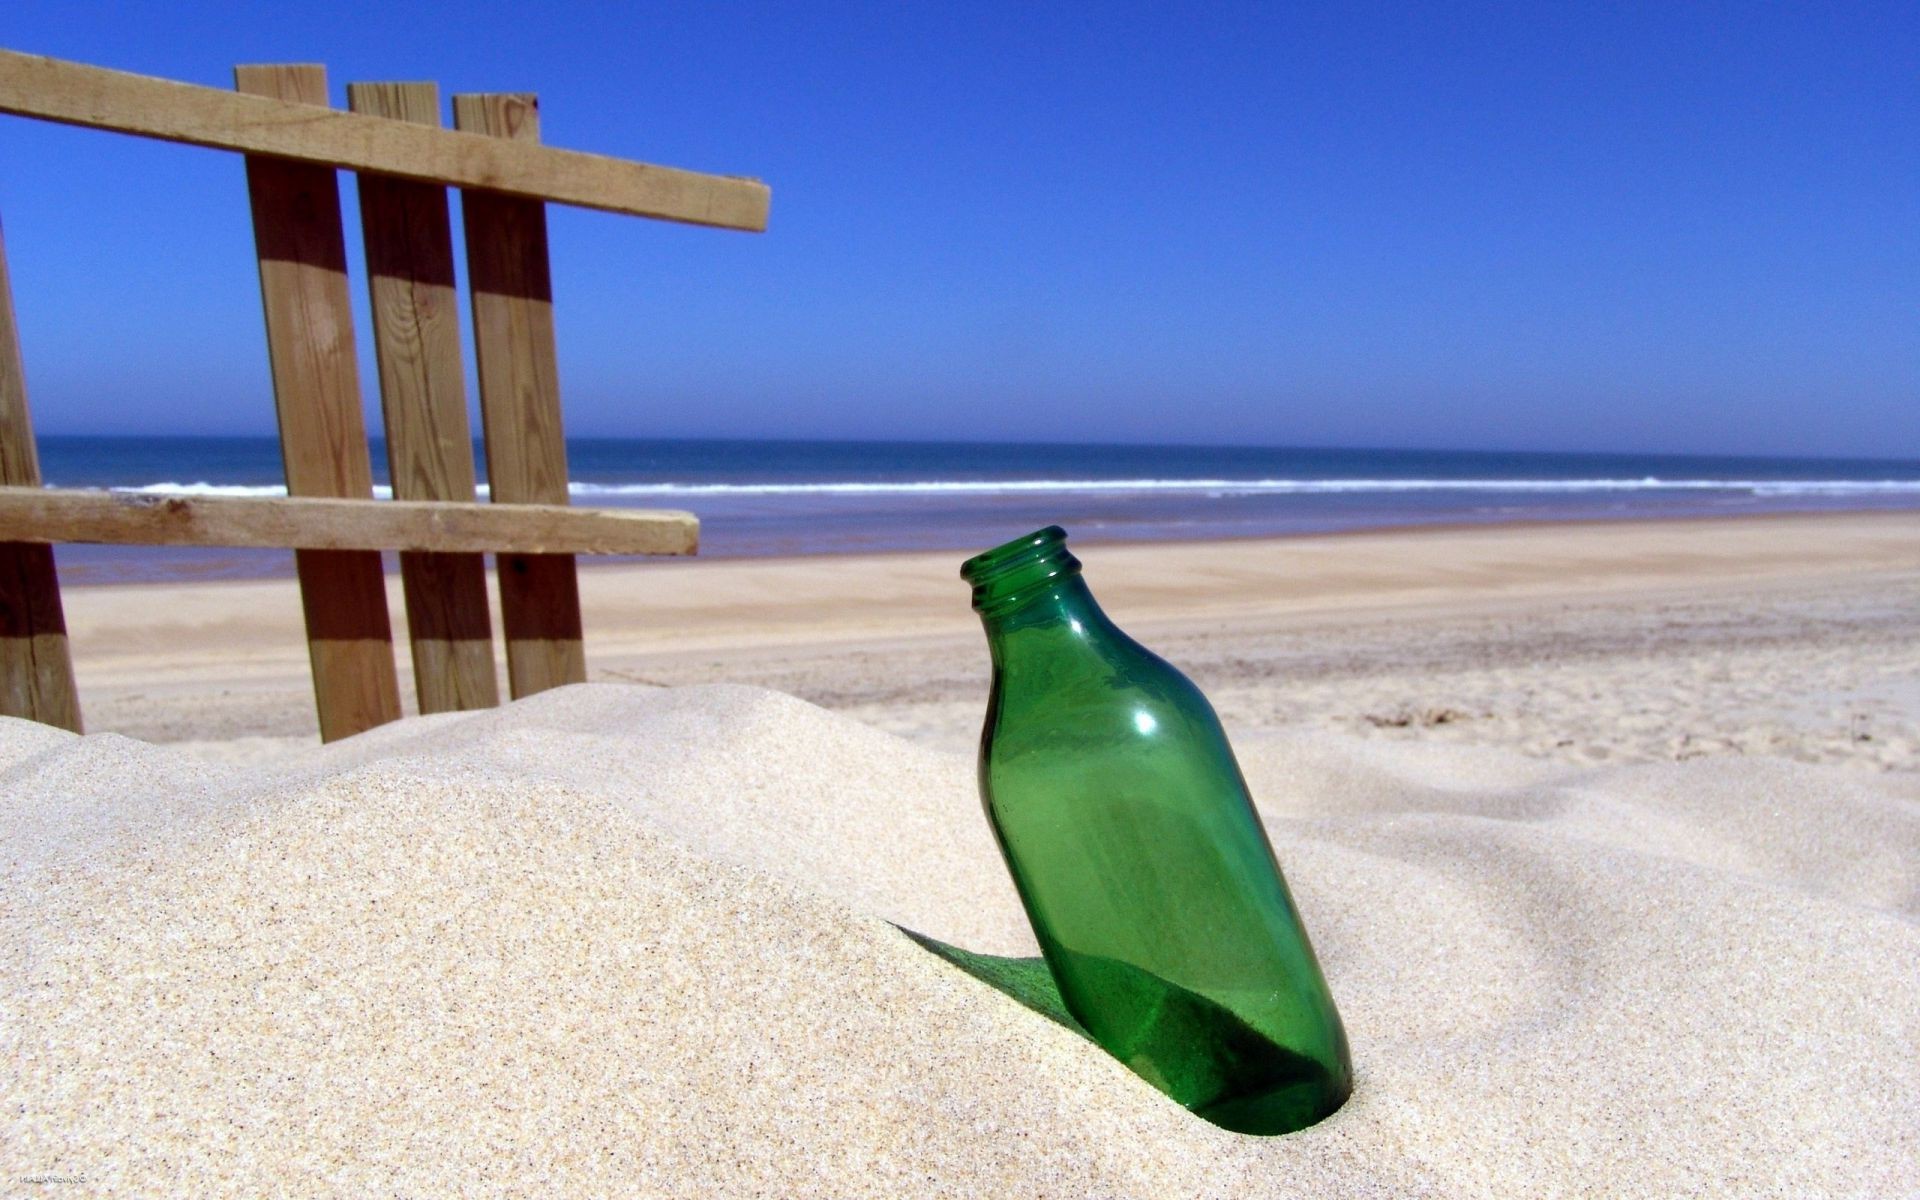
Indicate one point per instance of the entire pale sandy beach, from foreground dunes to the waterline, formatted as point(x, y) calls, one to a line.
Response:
point(1608, 836)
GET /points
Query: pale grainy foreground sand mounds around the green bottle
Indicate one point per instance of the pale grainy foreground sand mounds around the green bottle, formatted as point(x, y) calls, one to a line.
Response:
point(635, 942)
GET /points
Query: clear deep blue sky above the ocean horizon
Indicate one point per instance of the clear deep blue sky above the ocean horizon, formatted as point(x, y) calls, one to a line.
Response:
point(1658, 228)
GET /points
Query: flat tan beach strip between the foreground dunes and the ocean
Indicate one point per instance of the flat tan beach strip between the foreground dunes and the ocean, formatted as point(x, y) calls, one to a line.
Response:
point(1646, 640)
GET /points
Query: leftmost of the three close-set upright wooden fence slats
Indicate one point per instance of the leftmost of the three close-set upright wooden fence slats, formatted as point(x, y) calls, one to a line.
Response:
point(316, 389)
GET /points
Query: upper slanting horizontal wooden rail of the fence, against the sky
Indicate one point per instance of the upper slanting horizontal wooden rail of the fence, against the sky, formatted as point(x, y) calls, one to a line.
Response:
point(281, 128)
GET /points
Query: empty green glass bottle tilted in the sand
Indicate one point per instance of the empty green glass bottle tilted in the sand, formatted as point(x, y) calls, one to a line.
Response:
point(1140, 857)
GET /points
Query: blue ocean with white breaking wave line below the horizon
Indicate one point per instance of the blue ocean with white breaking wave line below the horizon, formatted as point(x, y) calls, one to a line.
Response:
point(805, 498)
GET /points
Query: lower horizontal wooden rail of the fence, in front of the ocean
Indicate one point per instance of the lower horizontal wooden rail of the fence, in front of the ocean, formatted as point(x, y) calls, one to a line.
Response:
point(310, 523)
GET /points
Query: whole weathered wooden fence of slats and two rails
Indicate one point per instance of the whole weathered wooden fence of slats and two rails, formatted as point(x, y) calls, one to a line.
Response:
point(279, 118)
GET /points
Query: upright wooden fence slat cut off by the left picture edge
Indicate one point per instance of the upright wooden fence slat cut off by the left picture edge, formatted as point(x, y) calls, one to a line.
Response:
point(36, 663)
